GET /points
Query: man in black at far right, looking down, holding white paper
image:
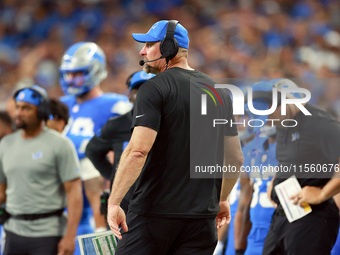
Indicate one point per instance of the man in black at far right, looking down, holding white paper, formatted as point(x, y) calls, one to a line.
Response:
point(314, 140)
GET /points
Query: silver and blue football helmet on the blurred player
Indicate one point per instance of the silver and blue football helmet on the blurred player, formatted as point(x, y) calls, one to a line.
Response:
point(85, 57)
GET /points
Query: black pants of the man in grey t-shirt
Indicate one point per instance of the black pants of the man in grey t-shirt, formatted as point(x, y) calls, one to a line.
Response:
point(19, 245)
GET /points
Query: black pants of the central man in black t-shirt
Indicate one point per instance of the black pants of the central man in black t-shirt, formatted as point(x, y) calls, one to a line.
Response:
point(150, 235)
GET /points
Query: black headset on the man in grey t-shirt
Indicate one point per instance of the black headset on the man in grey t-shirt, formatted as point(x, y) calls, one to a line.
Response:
point(44, 109)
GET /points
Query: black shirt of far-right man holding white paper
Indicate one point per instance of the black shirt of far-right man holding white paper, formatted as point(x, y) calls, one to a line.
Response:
point(310, 150)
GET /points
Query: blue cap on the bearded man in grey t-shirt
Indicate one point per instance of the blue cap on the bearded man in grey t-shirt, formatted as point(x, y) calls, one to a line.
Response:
point(33, 95)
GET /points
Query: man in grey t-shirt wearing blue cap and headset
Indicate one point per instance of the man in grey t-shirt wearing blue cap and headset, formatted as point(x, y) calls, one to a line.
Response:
point(37, 187)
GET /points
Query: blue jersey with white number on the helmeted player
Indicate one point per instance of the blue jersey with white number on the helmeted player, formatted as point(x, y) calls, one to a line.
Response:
point(89, 117)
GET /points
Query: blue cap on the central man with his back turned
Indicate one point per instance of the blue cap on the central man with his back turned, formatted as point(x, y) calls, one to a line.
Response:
point(158, 31)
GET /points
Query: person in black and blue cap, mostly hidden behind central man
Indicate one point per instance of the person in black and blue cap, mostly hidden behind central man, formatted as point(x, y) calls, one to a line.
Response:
point(114, 136)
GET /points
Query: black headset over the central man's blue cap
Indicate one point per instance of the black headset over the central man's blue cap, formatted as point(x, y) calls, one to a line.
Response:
point(169, 45)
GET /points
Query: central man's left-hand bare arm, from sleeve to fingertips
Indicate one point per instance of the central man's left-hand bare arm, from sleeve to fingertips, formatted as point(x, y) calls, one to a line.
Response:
point(129, 169)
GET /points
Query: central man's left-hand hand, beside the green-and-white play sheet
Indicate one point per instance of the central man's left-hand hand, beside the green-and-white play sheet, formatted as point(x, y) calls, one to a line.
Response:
point(115, 217)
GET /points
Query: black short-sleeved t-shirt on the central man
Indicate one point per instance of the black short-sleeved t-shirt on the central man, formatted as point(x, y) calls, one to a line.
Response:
point(164, 104)
